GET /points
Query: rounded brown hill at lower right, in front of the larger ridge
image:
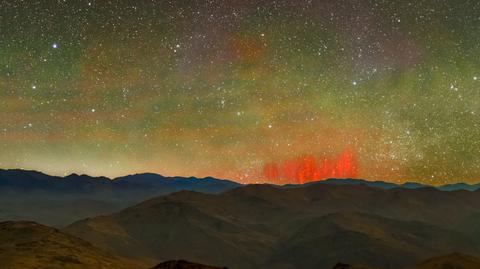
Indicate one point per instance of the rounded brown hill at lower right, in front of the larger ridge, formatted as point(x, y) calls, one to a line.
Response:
point(371, 240)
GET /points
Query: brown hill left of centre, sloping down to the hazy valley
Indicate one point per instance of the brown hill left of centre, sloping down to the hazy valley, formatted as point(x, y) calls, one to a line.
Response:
point(175, 230)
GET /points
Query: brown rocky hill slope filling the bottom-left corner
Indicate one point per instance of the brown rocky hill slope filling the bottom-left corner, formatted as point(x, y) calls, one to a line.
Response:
point(28, 245)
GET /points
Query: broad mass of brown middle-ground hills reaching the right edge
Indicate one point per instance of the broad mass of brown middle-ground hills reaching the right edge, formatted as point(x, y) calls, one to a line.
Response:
point(314, 226)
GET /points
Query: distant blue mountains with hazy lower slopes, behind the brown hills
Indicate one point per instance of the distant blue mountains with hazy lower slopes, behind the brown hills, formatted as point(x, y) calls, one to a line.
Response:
point(58, 201)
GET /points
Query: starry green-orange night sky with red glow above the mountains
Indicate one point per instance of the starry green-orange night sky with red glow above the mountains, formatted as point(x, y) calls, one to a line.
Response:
point(250, 90)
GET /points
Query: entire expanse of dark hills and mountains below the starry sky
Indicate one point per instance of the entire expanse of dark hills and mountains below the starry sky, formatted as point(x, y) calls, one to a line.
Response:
point(147, 220)
